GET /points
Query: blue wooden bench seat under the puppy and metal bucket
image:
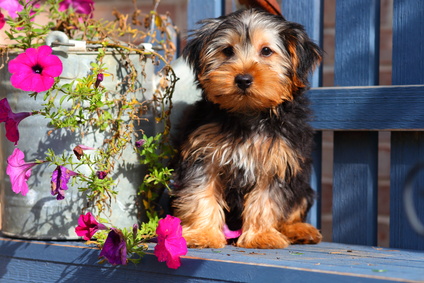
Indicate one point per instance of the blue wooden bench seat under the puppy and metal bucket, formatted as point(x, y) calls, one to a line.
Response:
point(31, 261)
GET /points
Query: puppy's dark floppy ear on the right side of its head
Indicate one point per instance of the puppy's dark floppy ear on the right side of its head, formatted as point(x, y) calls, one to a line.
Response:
point(305, 54)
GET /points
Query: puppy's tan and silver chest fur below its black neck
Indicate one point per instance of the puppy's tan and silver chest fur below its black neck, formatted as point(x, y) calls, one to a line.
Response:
point(257, 155)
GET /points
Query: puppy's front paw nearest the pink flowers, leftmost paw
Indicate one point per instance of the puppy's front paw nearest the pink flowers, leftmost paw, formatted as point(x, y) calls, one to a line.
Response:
point(204, 238)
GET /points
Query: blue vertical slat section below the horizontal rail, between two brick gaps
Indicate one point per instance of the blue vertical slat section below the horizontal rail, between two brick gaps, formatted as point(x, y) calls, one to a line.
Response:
point(355, 210)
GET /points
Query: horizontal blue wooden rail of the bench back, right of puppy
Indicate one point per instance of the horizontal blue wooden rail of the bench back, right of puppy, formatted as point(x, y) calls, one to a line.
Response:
point(386, 108)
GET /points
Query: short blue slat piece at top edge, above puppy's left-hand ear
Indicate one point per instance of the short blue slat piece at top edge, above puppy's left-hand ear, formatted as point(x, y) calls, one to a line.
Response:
point(199, 10)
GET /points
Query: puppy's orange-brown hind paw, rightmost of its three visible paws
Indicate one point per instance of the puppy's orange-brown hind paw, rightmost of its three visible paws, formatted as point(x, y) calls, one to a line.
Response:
point(302, 233)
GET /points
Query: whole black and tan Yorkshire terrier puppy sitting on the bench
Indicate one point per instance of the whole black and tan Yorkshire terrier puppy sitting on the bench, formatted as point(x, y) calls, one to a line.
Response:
point(245, 147)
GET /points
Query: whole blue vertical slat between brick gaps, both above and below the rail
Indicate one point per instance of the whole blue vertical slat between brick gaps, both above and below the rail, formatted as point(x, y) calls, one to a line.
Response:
point(355, 173)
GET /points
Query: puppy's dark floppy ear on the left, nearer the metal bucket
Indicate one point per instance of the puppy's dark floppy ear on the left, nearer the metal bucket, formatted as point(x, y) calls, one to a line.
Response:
point(197, 41)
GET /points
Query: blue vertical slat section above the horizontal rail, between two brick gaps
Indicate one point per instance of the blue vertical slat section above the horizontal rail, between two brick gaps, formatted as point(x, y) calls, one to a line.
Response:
point(357, 43)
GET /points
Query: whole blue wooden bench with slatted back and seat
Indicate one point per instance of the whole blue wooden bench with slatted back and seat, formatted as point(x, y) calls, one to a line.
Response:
point(356, 109)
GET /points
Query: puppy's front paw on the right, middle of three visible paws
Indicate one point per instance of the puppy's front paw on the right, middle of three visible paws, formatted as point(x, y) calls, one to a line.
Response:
point(271, 239)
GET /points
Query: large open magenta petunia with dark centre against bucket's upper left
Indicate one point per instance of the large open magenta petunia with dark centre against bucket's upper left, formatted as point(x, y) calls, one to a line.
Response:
point(35, 69)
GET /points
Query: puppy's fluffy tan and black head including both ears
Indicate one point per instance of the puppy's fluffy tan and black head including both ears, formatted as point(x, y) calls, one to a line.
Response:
point(251, 60)
